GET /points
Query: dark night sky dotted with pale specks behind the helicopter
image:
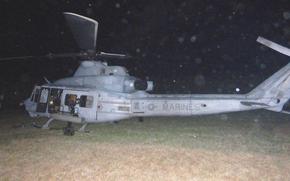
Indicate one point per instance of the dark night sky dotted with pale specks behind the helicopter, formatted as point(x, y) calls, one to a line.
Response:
point(193, 46)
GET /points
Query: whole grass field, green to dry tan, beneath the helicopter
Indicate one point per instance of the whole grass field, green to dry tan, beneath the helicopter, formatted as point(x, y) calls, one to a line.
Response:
point(238, 146)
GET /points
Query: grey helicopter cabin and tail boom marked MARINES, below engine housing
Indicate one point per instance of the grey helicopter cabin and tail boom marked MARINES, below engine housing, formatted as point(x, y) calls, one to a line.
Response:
point(87, 105)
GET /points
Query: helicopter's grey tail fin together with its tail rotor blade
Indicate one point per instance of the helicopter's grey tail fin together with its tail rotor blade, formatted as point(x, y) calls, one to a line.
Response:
point(275, 91)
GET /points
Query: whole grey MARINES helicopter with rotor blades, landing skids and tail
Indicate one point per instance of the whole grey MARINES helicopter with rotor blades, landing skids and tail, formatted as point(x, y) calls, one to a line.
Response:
point(99, 93)
